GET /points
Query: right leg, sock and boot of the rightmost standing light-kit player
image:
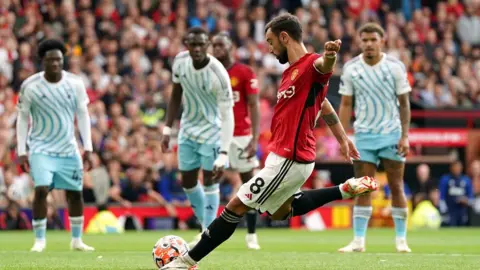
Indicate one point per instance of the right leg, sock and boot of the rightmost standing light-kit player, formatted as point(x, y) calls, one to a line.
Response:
point(395, 170)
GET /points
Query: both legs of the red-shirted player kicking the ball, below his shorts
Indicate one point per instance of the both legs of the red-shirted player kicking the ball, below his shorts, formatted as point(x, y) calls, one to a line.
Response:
point(224, 226)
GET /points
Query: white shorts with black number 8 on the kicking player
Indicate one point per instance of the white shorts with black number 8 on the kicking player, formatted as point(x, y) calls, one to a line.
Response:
point(278, 181)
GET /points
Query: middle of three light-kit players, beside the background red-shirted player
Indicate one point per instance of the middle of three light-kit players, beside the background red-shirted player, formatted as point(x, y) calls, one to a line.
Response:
point(206, 126)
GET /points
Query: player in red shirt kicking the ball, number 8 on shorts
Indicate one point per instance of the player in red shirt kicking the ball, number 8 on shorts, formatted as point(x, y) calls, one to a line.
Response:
point(300, 102)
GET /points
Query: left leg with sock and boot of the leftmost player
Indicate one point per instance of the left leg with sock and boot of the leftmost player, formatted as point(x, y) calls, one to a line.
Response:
point(40, 218)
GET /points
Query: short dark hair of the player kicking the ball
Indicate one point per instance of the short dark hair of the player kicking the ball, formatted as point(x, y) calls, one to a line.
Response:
point(288, 23)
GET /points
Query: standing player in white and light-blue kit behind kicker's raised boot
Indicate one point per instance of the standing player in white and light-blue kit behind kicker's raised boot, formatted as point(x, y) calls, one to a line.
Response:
point(382, 110)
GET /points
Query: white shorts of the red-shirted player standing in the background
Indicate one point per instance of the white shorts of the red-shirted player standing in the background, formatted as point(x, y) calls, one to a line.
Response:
point(238, 157)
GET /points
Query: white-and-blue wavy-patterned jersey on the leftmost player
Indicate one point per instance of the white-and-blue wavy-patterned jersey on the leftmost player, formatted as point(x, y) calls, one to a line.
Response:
point(52, 108)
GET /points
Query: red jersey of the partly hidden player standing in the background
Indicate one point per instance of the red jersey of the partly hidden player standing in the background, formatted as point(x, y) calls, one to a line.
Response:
point(244, 83)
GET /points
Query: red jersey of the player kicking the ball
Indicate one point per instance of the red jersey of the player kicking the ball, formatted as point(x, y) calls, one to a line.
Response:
point(299, 100)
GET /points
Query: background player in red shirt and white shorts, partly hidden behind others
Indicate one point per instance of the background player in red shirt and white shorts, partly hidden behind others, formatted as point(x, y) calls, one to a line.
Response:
point(242, 154)
